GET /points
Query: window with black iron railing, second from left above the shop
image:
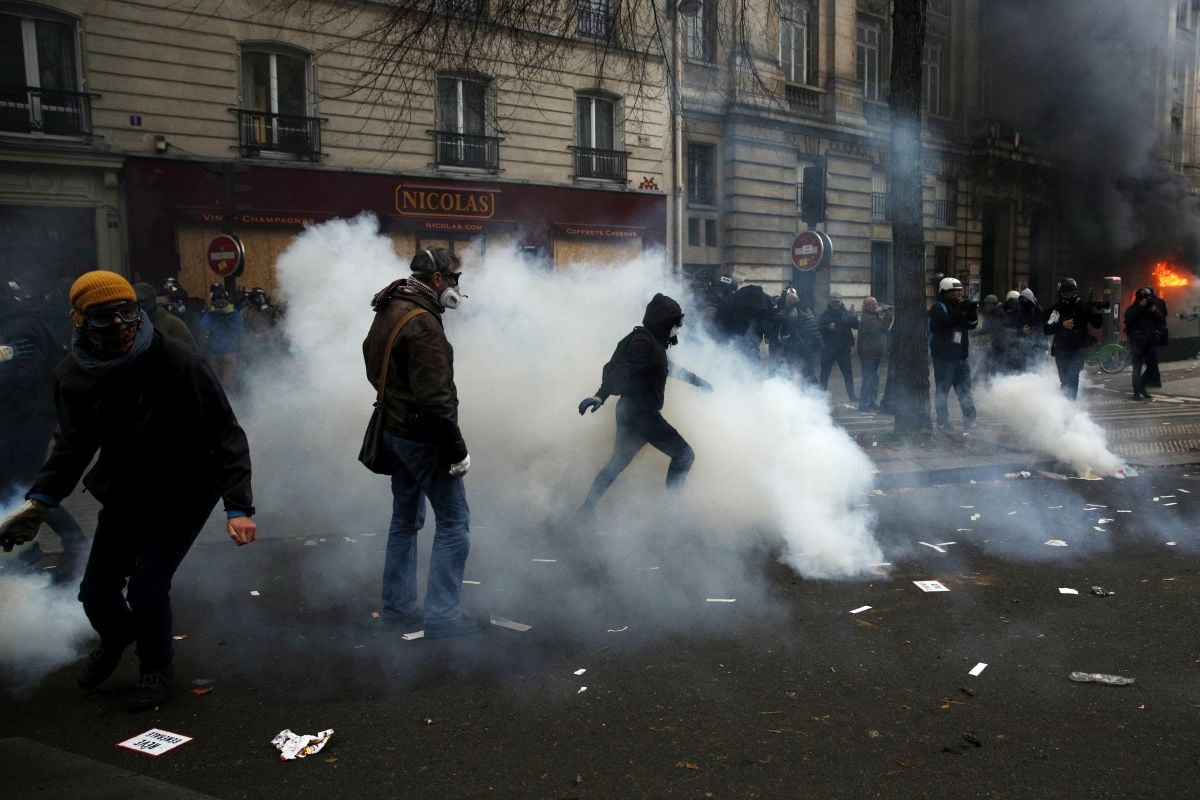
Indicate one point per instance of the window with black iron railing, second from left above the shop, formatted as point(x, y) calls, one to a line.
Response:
point(275, 115)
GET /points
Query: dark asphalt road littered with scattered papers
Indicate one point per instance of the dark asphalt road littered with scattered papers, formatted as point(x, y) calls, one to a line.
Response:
point(782, 694)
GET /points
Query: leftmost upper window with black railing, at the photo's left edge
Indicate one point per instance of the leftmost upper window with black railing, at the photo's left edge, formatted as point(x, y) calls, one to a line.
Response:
point(40, 77)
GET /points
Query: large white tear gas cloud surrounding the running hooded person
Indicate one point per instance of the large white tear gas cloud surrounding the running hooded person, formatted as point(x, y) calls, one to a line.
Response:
point(772, 470)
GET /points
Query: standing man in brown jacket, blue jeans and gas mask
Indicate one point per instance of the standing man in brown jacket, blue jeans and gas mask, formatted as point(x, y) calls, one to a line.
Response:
point(422, 435)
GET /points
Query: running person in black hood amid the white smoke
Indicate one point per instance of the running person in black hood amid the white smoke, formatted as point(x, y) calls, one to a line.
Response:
point(638, 372)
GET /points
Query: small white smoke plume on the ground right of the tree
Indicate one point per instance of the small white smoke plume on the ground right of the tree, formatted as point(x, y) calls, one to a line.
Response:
point(1040, 418)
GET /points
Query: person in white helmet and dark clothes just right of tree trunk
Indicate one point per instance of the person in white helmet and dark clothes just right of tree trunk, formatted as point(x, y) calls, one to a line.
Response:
point(951, 321)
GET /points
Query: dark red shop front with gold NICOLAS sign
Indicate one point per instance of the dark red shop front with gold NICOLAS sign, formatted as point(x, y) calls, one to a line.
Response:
point(176, 210)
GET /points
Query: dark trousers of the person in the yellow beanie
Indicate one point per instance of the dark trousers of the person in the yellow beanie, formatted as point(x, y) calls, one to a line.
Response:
point(142, 546)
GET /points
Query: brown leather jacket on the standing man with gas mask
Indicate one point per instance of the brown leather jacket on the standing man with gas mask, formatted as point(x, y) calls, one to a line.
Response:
point(421, 401)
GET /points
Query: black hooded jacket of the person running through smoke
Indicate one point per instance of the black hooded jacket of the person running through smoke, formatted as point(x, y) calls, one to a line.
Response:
point(643, 357)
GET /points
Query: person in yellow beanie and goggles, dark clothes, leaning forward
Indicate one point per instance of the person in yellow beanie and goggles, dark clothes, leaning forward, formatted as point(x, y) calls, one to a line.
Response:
point(123, 392)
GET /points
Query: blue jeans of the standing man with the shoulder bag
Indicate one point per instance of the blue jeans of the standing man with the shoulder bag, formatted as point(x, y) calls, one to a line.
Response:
point(422, 472)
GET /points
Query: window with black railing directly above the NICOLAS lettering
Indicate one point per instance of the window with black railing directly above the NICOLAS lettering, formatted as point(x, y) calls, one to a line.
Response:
point(463, 124)
